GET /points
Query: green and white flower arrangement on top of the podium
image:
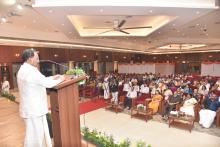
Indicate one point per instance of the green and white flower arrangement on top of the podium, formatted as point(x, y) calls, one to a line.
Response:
point(77, 72)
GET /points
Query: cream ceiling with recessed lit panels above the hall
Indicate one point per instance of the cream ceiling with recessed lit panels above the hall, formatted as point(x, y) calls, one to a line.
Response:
point(61, 24)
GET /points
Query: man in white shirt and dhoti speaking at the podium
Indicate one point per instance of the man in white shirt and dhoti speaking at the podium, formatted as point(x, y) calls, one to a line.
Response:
point(33, 99)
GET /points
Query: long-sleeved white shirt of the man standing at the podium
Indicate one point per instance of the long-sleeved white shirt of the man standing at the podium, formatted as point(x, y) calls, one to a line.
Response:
point(32, 88)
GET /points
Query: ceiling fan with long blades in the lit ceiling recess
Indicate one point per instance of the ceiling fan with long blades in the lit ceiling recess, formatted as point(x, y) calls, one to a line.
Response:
point(117, 27)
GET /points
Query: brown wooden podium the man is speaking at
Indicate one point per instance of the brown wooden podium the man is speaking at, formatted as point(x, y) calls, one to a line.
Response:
point(65, 113)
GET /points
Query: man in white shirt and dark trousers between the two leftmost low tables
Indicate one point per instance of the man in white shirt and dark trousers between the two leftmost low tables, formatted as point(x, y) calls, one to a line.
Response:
point(128, 99)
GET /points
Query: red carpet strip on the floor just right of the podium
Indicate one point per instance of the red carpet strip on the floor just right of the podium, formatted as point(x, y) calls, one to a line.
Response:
point(91, 106)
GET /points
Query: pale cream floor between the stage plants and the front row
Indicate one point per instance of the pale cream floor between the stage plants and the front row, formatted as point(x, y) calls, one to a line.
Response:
point(122, 126)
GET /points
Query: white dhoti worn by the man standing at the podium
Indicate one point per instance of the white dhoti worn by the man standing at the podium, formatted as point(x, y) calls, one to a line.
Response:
point(37, 132)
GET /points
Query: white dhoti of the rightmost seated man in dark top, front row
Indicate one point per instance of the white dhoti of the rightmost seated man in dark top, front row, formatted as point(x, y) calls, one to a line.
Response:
point(206, 117)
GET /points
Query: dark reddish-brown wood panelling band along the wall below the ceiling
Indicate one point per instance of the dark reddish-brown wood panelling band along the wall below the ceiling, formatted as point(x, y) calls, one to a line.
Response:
point(9, 55)
